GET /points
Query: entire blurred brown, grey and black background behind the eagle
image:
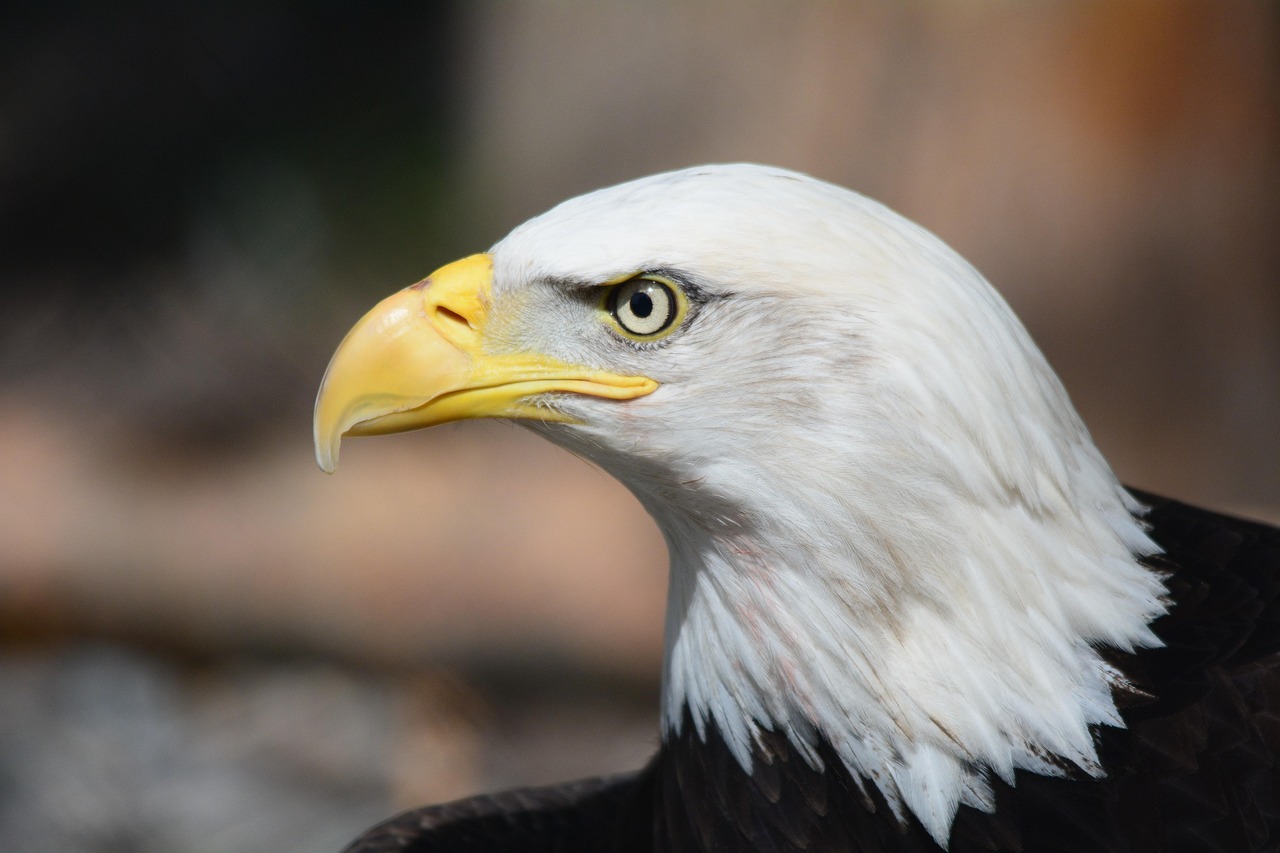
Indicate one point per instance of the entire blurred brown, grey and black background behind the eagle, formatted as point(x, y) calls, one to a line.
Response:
point(207, 645)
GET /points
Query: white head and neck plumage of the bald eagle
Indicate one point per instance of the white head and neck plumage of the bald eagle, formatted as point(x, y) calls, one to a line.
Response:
point(886, 522)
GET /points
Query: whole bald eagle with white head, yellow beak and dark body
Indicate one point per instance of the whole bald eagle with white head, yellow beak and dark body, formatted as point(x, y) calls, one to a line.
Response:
point(911, 606)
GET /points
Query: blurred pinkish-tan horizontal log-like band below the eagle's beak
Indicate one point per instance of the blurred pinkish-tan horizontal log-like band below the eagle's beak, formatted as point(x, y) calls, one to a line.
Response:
point(478, 545)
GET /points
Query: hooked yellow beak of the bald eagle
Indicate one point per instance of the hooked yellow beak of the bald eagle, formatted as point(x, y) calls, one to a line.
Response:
point(418, 361)
